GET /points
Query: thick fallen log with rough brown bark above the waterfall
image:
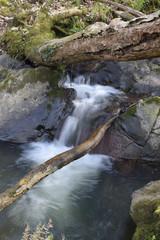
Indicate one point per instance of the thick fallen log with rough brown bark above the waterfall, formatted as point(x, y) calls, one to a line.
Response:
point(120, 41)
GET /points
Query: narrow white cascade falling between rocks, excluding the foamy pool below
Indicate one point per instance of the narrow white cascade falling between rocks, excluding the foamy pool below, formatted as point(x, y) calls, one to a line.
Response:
point(90, 99)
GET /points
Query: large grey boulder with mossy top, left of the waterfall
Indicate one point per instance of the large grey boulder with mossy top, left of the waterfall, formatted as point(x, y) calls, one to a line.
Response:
point(32, 105)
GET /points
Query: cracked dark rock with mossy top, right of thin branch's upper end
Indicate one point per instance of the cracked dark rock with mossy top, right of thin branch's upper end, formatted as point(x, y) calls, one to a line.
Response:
point(135, 135)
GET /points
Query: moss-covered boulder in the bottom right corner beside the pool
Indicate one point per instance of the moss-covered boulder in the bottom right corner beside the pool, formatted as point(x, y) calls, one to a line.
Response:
point(145, 211)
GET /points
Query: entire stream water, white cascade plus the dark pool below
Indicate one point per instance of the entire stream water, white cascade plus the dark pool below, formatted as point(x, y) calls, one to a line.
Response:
point(87, 199)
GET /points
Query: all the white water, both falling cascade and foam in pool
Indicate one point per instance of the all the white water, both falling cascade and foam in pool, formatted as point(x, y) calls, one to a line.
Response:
point(57, 194)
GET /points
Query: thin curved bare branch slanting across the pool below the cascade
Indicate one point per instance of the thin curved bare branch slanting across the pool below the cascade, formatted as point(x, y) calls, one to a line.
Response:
point(52, 165)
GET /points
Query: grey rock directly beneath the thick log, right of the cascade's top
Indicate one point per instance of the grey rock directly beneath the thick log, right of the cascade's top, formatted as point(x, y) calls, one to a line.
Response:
point(140, 77)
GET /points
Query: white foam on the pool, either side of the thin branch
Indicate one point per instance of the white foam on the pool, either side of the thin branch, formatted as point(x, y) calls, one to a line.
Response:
point(56, 194)
